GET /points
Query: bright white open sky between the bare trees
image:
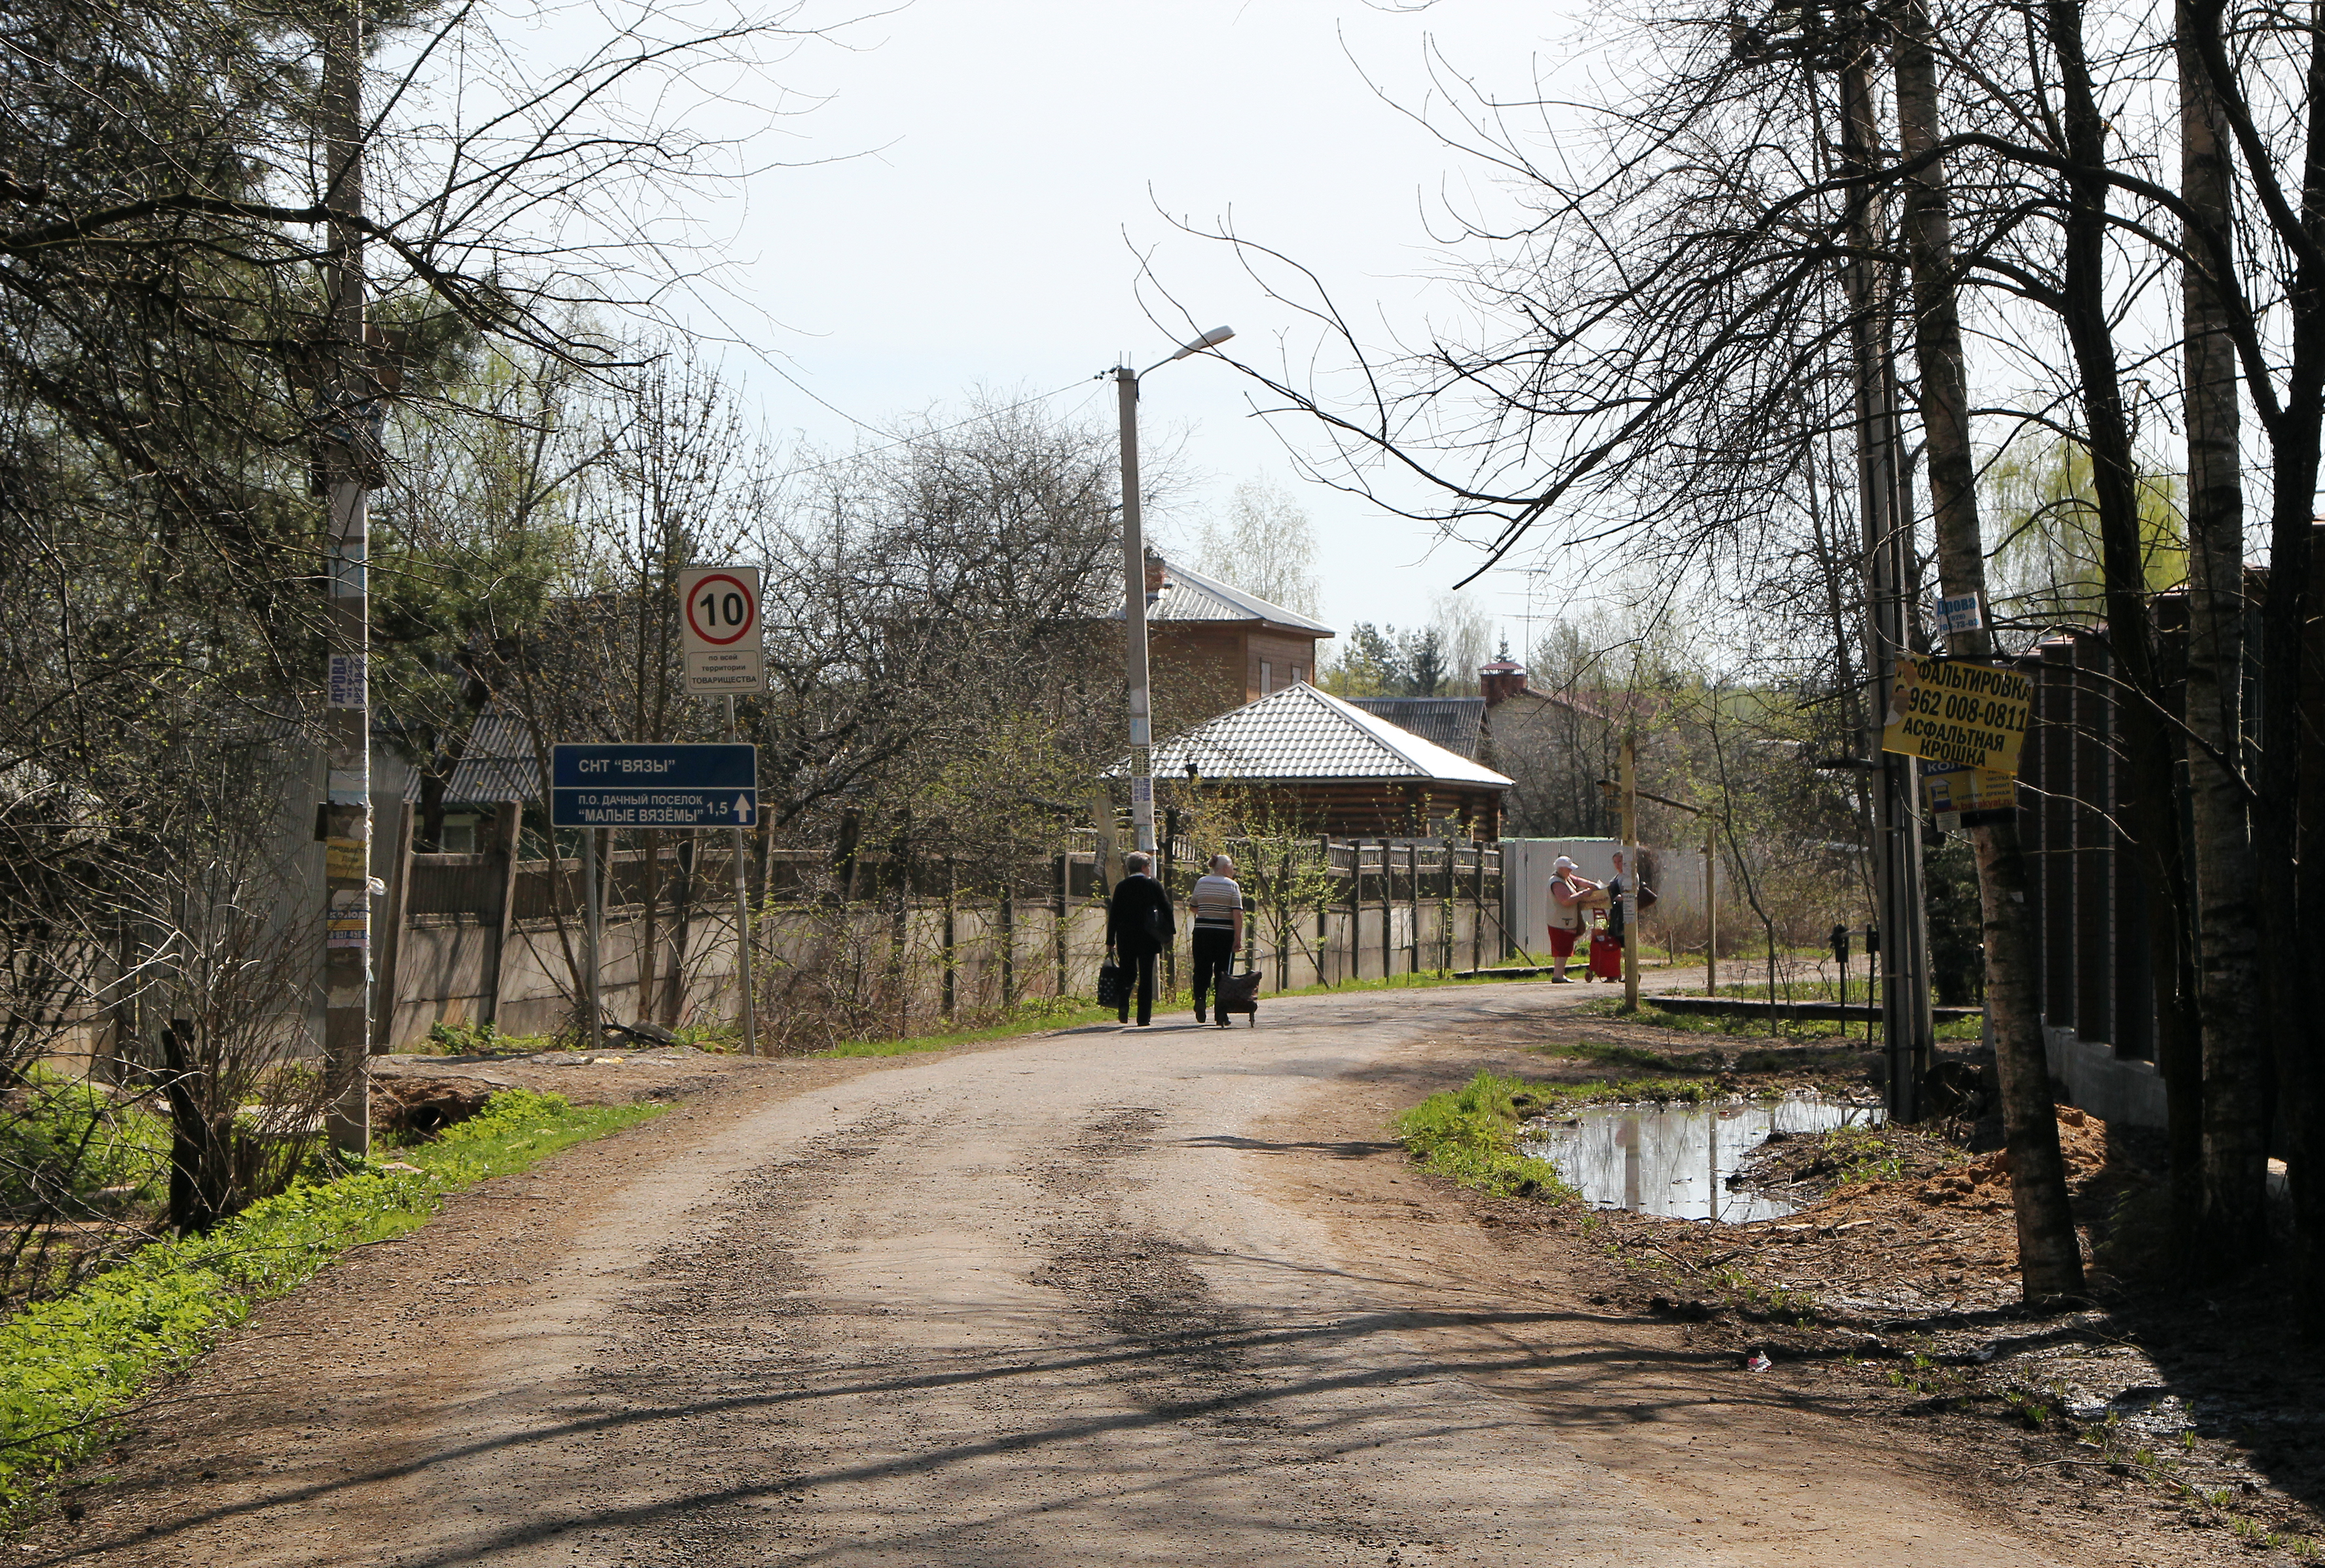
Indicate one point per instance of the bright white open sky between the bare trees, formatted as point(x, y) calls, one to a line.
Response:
point(1017, 152)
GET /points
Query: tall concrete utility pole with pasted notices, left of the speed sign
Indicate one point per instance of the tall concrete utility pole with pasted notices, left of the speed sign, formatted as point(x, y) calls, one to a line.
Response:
point(348, 394)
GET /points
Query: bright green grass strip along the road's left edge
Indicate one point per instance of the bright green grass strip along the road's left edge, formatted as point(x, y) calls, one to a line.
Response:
point(71, 1367)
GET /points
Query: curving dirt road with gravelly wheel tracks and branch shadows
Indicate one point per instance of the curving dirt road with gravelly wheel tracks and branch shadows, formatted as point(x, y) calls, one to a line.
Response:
point(1145, 1297)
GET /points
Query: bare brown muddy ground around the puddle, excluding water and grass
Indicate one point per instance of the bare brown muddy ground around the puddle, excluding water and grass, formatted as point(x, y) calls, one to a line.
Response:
point(2177, 1420)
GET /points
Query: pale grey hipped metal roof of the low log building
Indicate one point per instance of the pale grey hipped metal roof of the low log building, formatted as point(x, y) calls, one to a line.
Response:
point(1308, 735)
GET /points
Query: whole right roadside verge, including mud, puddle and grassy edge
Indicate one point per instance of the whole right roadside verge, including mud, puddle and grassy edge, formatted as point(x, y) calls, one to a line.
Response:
point(1875, 1269)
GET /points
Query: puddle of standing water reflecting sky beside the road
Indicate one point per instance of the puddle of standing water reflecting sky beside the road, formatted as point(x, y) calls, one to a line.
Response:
point(1682, 1160)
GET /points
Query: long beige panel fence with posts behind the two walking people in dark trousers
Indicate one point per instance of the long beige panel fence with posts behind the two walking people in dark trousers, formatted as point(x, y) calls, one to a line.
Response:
point(496, 940)
